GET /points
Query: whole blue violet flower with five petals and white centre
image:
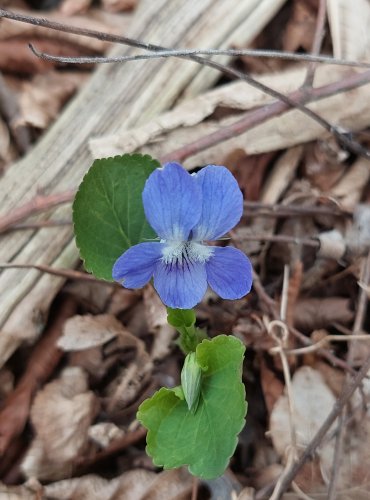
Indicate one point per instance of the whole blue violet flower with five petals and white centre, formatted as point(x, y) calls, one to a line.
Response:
point(186, 211)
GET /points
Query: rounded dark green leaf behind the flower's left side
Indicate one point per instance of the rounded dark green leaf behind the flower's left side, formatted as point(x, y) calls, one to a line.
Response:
point(108, 212)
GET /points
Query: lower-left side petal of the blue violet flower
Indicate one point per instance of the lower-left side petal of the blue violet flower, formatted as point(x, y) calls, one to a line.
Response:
point(135, 267)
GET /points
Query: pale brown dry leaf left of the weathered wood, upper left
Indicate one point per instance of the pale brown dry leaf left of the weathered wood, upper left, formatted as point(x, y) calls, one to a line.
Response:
point(42, 98)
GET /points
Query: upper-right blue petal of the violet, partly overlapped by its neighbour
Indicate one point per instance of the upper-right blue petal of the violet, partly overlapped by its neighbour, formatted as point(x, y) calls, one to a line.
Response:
point(222, 203)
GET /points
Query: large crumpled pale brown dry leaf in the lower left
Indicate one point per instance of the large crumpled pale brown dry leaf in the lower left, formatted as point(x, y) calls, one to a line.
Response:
point(61, 416)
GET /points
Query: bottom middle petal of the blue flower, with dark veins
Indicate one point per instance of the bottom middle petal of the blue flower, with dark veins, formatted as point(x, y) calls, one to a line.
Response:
point(180, 286)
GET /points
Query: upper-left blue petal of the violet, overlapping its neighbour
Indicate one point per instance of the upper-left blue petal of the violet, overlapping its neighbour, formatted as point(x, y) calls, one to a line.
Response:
point(172, 202)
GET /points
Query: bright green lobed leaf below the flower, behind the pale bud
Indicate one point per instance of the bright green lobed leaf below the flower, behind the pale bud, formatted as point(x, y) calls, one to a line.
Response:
point(204, 440)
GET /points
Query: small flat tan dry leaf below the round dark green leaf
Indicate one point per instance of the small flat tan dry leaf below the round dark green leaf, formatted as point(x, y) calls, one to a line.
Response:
point(84, 332)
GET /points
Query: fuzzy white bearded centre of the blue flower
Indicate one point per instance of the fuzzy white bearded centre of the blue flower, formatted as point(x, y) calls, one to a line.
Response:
point(185, 251)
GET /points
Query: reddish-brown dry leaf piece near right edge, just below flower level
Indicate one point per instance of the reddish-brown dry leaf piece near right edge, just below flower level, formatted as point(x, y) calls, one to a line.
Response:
point(314, 314)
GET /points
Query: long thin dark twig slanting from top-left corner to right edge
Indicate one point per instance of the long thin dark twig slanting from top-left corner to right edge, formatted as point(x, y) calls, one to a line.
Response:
point(282, 99)
